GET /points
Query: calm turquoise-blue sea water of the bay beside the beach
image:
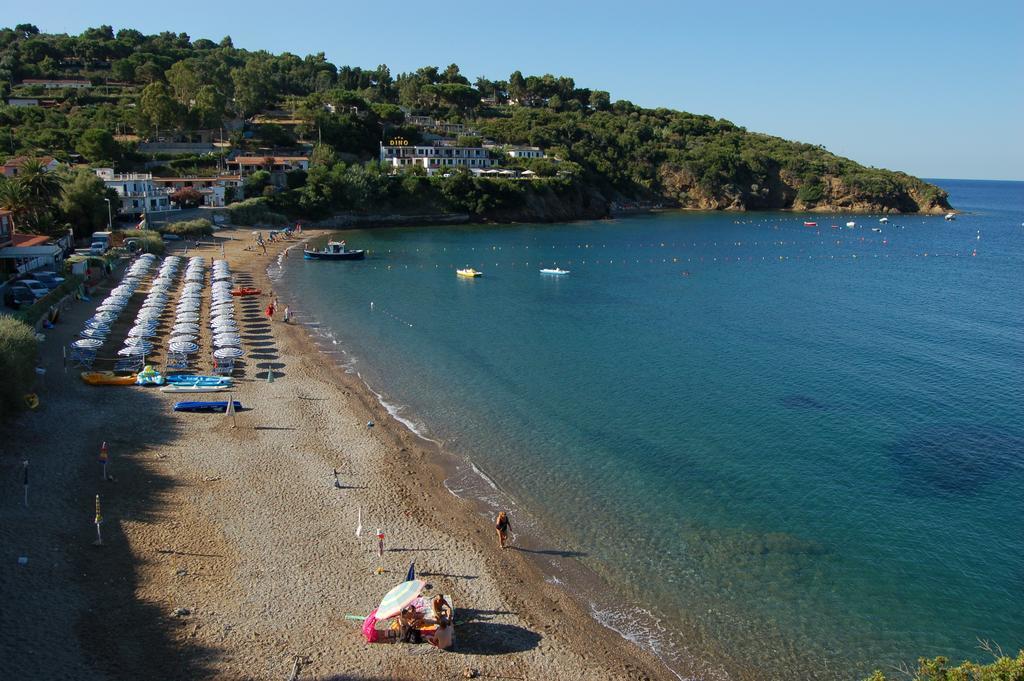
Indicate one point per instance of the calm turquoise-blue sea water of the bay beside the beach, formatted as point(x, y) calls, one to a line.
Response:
point(797, 446)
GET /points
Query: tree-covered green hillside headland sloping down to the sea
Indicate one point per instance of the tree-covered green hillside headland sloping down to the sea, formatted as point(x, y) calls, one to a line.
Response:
point(149, 88)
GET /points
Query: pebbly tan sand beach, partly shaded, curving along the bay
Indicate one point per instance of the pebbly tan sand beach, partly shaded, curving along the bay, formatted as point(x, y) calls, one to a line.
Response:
point(229, 551)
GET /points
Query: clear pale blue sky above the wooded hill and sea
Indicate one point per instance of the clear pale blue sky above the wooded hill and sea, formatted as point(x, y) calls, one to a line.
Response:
point(932, 89)
